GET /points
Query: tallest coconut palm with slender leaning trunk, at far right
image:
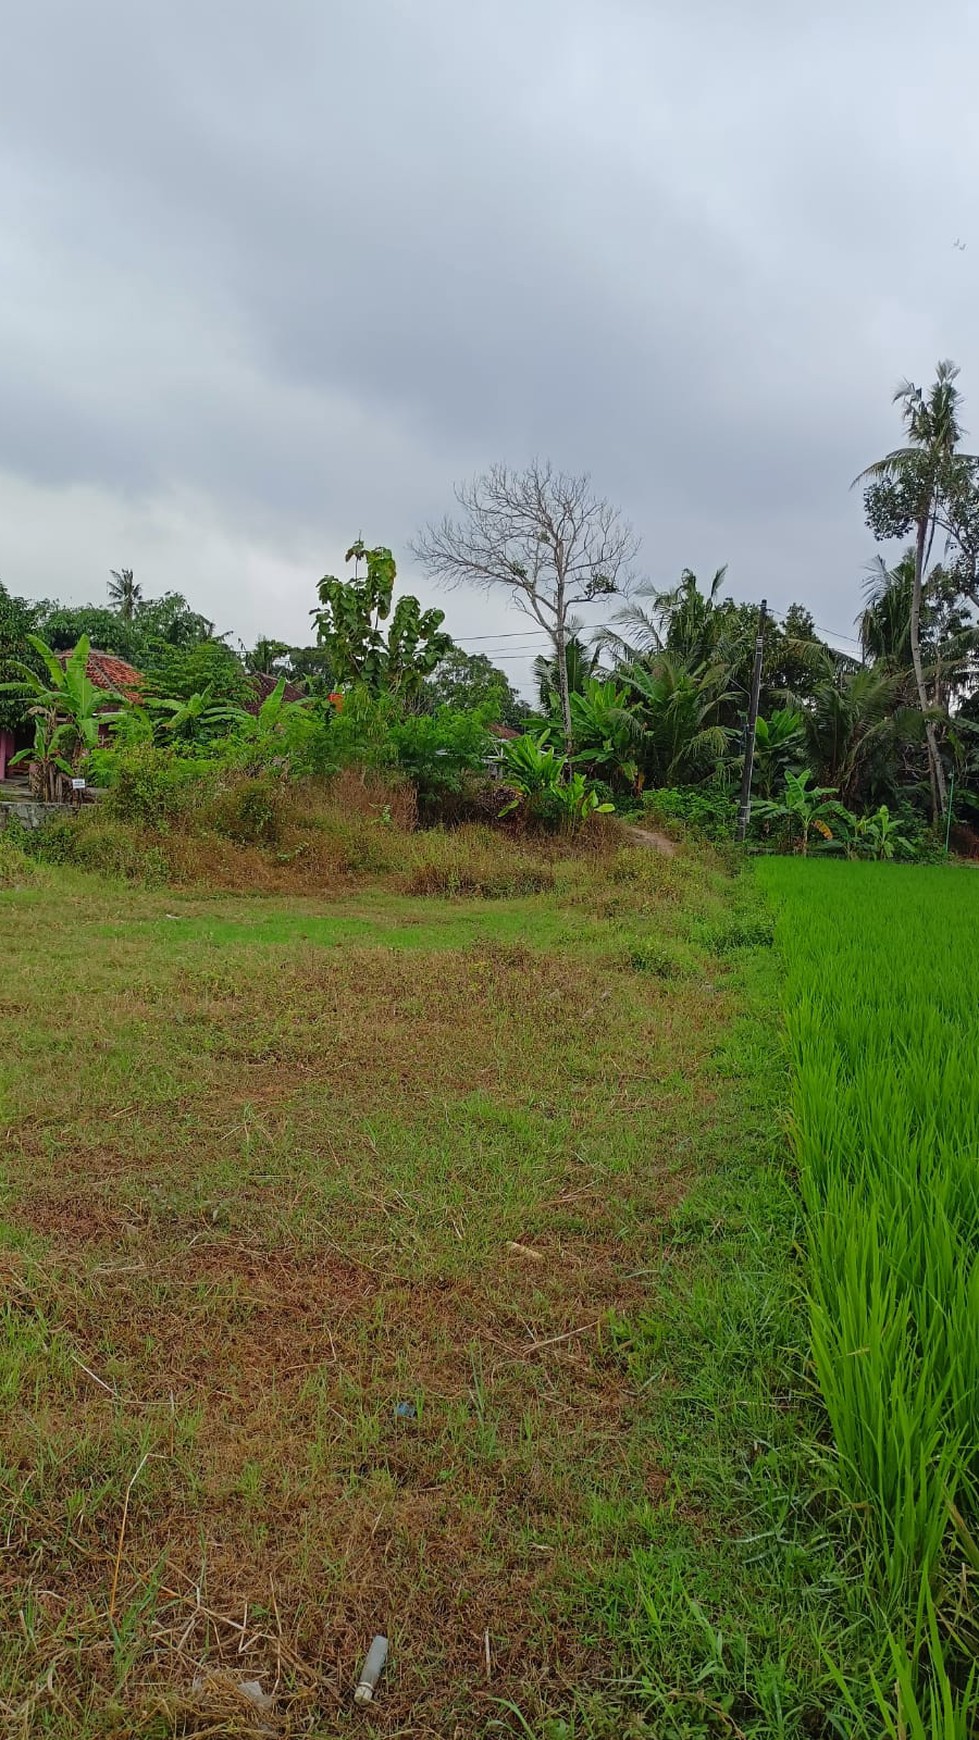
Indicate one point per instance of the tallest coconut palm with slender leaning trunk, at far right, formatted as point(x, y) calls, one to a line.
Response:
point(917, 488)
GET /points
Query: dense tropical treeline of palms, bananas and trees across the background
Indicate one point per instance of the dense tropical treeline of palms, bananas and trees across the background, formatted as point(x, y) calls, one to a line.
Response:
point(862, 746)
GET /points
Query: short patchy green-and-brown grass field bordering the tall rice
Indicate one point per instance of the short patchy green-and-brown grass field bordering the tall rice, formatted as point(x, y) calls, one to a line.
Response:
point(401, 1266)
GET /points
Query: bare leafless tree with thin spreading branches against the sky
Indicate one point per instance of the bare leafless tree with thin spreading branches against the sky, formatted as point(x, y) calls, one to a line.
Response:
point(542, 535)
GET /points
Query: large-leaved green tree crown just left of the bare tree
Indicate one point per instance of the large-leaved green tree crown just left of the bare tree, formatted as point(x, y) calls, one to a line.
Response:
point(349, 627)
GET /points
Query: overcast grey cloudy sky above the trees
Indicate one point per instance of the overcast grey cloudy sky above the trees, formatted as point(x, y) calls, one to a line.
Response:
point(281, 272)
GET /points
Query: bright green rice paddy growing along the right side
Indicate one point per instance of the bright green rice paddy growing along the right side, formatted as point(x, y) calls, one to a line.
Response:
point(884, 1043)
